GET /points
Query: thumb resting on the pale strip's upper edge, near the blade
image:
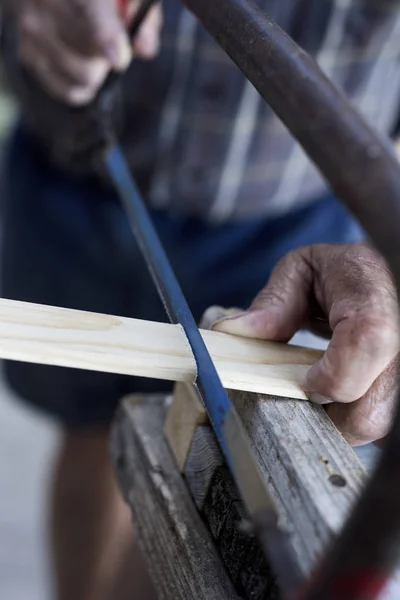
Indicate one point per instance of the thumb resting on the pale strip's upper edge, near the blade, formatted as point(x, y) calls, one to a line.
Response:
point(279, 309)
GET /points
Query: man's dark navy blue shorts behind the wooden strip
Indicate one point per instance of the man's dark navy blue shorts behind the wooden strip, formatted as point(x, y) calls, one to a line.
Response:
point(66, 242)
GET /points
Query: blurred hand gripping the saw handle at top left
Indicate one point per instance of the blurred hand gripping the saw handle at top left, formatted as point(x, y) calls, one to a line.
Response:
point(71, 45)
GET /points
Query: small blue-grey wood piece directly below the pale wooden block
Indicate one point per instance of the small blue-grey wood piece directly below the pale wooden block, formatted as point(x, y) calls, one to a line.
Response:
point(203, 458)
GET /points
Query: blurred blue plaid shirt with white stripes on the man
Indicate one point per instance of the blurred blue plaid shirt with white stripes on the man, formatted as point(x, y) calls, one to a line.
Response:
point(200, 139)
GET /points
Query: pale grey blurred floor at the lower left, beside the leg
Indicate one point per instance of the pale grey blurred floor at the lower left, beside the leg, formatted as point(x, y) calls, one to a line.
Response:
point(27, 445)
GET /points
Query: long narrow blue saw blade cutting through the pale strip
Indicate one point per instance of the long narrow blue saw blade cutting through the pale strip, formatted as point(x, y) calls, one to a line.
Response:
point(223, 416)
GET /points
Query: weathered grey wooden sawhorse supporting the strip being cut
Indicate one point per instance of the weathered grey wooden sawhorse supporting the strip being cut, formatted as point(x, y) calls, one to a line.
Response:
point(186, 511)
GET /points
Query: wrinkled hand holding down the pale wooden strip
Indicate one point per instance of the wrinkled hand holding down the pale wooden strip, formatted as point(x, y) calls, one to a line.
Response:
point(345, 291)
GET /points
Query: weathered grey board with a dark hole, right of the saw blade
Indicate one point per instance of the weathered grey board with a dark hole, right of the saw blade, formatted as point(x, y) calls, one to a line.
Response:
point(313, 474)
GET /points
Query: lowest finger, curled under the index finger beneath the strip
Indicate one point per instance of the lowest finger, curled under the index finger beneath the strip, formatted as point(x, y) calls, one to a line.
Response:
point(369, 419)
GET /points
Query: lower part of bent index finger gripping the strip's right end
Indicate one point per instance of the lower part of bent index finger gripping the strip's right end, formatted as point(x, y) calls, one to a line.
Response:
point(362, 346)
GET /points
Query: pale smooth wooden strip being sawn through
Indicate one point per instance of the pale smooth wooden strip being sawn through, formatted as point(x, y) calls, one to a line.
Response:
point(70, 338)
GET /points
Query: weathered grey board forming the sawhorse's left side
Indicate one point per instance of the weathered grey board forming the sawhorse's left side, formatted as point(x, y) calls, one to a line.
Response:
point(178, 548)
